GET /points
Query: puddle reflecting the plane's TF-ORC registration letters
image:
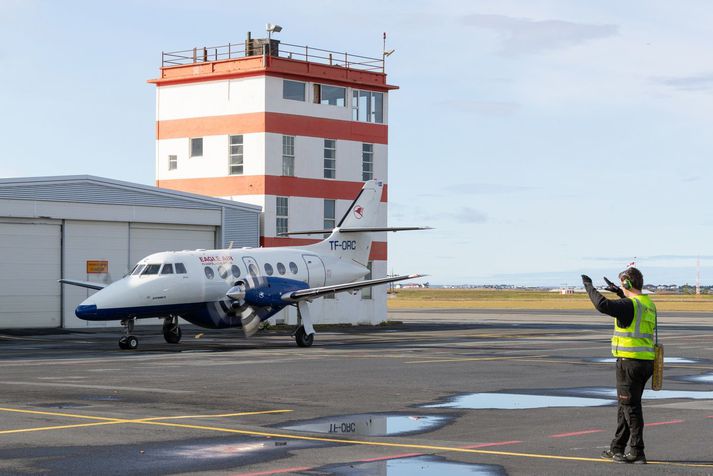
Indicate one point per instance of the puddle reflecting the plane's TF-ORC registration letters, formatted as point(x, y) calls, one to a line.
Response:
point(371, 424)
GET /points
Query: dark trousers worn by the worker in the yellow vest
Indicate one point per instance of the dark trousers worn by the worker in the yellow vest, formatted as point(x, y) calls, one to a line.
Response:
point(631, 378)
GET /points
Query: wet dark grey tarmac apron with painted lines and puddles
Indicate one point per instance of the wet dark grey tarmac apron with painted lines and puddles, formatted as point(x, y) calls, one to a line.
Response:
point(445, 392)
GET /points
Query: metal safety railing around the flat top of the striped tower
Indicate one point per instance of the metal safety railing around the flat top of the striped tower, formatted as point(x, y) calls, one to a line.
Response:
point(273, 48)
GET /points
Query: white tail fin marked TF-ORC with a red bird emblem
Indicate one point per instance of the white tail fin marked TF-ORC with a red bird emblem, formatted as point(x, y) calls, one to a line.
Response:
point(364, 212)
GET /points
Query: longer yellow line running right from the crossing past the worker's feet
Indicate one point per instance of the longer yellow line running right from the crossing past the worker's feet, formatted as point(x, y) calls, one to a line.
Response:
point(409, 446)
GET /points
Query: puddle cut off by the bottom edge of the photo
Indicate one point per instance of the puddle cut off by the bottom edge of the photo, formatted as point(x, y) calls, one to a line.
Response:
point(417, 465)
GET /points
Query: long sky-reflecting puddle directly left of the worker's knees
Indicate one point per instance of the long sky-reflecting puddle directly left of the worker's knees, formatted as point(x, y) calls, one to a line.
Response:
point(516, 401)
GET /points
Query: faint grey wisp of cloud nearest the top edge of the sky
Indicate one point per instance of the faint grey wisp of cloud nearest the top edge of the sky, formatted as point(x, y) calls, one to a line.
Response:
point(523, 36)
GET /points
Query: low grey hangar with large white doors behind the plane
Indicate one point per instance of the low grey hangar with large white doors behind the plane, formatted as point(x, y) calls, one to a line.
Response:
point(95, 229)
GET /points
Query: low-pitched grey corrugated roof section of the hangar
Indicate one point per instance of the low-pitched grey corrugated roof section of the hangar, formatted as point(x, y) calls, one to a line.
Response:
point(100, 190)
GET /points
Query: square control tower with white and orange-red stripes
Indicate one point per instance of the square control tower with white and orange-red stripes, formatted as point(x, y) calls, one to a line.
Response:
point(291, 128)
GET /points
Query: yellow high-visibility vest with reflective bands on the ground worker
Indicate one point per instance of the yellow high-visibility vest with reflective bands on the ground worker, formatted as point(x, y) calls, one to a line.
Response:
point(637, 340)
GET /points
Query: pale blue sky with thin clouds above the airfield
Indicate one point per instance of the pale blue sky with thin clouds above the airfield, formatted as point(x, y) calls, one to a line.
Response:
point(542, 139)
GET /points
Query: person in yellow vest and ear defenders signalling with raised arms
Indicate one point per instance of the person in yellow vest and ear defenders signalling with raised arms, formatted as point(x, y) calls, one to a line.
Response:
point(633, 347)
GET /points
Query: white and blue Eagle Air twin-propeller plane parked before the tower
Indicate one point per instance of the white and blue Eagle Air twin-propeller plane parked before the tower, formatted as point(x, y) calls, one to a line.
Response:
point(242, 287)
